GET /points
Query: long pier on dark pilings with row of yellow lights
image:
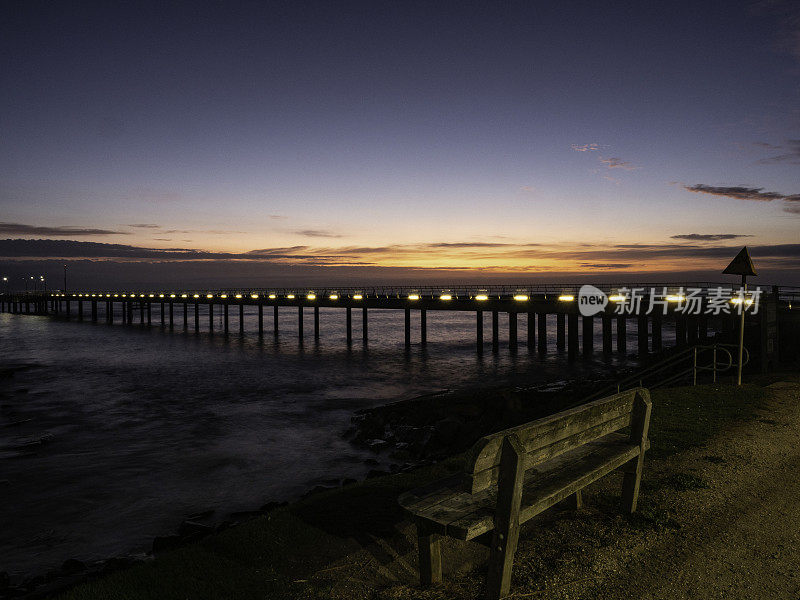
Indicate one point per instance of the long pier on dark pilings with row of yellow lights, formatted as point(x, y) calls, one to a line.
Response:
point(537, 308)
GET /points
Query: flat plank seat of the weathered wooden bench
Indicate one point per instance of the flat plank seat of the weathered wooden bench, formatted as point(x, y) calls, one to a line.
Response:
point(447, 510)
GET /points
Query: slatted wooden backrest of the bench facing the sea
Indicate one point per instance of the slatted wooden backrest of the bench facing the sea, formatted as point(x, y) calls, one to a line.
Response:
point(551, 436)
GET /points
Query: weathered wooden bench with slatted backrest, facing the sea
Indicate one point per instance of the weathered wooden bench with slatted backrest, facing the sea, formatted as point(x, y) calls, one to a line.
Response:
point(513, 475)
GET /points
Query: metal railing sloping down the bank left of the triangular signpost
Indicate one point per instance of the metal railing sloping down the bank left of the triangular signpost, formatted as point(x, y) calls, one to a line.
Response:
point(683, 365)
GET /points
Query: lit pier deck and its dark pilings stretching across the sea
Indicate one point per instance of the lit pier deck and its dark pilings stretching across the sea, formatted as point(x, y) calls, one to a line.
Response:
point(688, 328)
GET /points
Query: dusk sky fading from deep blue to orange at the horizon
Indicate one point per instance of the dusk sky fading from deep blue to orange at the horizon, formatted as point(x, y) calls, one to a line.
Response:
point(243, 142)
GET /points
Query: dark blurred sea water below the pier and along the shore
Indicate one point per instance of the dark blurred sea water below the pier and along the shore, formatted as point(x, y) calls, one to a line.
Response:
point(111, 435)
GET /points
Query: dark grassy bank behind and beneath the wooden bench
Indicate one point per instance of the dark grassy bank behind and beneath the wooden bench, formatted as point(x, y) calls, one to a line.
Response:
point(350, 542)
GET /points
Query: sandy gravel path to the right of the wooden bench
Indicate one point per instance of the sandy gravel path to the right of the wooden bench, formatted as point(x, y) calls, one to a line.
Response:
point(740, 537)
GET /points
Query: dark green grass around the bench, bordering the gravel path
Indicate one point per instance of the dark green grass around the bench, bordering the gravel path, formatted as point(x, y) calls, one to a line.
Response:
point(279, 554)
